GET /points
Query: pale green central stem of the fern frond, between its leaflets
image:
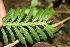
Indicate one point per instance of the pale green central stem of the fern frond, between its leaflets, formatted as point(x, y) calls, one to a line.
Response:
point(24, 24)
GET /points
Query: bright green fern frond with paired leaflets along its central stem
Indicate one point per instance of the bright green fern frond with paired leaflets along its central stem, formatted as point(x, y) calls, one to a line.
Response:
point(31, 26)
